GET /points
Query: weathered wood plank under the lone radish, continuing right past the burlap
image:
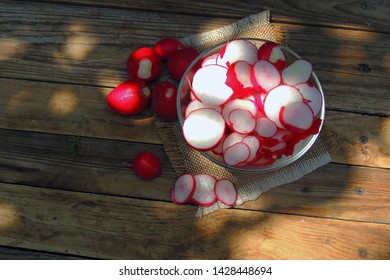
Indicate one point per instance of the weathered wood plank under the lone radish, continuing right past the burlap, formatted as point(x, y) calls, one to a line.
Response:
point(44, 160)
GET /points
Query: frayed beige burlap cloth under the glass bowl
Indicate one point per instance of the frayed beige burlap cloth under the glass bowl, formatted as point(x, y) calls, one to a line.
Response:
point(186, 160)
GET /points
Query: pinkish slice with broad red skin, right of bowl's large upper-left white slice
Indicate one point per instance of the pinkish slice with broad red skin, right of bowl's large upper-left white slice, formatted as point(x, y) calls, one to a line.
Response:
point(238, 78)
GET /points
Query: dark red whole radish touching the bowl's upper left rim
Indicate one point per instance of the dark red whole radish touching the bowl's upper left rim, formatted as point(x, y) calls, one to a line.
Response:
point(179, 61)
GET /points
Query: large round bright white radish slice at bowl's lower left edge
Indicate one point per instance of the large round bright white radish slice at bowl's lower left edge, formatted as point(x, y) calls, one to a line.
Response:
point(204, 128)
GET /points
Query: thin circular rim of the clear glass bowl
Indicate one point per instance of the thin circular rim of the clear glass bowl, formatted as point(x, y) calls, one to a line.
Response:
point(278, 164)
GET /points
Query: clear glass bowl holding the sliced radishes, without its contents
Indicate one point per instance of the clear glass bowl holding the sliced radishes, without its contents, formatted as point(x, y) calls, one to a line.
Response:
point(183, 98)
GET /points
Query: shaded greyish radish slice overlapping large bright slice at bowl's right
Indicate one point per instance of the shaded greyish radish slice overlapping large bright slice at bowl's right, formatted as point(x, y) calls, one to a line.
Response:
point(297, 116)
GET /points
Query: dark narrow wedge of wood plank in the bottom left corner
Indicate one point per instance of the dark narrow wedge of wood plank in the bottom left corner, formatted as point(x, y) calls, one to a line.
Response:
point(21, 254)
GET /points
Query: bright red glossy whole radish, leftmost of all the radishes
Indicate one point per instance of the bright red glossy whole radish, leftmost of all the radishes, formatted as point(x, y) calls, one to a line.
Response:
point(129, 97)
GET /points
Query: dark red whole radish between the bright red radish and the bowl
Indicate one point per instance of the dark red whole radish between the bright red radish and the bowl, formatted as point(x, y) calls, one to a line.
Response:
point(163, 100)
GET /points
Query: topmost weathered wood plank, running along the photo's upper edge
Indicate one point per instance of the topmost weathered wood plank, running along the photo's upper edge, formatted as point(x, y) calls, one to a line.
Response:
point(371, 15)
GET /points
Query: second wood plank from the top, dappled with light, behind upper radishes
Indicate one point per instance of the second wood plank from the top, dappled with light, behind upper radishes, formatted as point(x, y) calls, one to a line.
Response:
point(90, 46)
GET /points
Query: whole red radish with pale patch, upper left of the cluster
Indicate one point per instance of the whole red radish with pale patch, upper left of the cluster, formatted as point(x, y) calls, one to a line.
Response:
point(144, 64)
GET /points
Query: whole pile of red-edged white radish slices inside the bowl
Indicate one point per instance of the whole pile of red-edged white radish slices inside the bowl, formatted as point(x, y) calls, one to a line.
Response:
point(249, 106)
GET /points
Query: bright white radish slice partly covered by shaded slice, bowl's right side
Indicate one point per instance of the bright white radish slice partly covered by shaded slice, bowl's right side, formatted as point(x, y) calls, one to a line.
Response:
point(277, 98)
